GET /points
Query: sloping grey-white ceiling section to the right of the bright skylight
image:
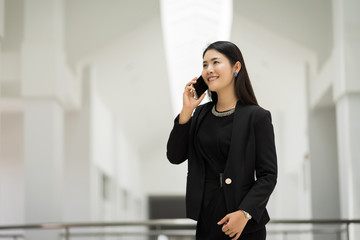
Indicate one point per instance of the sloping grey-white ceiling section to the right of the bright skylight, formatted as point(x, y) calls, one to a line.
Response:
point(307, 23)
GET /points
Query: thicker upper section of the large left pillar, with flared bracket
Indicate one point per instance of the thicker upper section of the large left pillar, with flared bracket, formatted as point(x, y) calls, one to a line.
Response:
point(44, 70)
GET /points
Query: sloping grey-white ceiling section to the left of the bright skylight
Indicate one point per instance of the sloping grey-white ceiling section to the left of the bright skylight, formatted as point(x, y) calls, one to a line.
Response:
point(92, 24)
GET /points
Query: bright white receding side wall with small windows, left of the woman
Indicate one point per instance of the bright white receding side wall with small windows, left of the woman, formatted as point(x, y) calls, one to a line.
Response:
point(112, 155)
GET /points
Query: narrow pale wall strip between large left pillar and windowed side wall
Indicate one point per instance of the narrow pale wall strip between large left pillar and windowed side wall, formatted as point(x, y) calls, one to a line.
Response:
point(77, 162)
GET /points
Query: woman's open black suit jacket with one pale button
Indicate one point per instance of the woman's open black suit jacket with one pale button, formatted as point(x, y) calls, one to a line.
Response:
point(251, 163)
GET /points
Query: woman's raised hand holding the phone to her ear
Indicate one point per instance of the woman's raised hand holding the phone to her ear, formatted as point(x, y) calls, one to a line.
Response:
point(189, 102)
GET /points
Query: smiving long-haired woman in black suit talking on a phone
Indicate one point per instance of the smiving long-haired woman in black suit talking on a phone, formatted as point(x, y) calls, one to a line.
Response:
point(229, 144)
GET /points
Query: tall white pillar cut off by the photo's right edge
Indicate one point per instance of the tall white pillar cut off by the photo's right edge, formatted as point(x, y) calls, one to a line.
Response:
point(347, 98)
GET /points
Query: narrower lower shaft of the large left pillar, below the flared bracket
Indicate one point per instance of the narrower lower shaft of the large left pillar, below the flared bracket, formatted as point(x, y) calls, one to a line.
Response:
point(43, 156)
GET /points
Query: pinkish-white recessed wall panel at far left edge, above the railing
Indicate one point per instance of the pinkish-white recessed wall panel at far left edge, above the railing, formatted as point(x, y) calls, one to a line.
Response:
point(11, 168)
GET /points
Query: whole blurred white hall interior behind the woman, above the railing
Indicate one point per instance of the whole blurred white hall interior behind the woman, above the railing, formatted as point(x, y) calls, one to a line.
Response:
point(89, 90)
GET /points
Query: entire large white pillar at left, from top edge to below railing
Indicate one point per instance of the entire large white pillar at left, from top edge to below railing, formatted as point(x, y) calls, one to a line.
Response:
point(43, 88)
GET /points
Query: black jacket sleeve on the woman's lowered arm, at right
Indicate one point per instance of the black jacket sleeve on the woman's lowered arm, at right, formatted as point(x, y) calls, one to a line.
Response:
point(265, 167)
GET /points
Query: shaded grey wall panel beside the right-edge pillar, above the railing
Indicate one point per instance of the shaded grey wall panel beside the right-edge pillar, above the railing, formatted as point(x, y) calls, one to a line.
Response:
point(324, 163)
